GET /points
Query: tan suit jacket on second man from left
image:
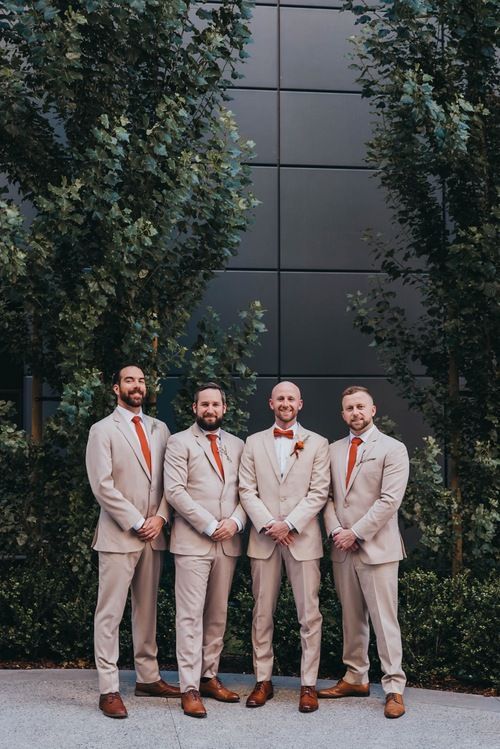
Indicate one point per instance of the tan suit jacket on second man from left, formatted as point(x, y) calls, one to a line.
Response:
point(197, 493)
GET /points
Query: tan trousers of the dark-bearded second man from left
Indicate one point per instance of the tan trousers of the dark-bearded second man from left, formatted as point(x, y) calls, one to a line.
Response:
point(202, 587)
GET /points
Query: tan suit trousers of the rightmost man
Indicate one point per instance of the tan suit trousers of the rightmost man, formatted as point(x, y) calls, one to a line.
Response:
point(370, 591)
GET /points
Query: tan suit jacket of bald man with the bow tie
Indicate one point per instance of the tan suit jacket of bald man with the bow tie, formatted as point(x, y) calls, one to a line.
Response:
point(297, 496)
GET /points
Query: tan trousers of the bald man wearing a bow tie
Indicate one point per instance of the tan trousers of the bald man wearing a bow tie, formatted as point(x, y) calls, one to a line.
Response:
point(304, 578)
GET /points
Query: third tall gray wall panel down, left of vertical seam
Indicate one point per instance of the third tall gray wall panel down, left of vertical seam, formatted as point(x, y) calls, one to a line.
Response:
point(259, 245)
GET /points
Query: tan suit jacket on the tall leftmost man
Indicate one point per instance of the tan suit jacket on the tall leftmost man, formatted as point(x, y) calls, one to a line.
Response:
point(121, 481)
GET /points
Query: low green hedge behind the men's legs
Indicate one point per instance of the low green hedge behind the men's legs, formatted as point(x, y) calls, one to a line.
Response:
point(449, 625)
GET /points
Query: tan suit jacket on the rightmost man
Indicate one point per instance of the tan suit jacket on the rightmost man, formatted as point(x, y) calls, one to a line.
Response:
point(369, 504)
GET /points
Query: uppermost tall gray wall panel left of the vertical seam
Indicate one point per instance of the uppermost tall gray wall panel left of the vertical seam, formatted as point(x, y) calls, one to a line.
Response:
point(261, 68)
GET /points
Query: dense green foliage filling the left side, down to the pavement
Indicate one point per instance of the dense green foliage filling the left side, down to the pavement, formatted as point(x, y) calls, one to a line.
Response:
point(128, 189)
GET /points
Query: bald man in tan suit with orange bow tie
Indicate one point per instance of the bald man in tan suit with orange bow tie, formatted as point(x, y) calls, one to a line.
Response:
point(284, 481)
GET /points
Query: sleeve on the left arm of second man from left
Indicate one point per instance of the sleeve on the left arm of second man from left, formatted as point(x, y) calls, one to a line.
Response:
point(176, 471)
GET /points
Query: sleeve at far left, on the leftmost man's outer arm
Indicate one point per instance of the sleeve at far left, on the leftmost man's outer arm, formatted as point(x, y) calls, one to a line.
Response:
point(100, 473)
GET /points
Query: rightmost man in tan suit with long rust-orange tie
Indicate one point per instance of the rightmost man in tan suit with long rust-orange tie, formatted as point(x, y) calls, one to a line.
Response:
point(369, 478)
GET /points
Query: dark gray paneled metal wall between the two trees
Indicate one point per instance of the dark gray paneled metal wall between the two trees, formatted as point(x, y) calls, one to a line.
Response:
point(304, 252)
